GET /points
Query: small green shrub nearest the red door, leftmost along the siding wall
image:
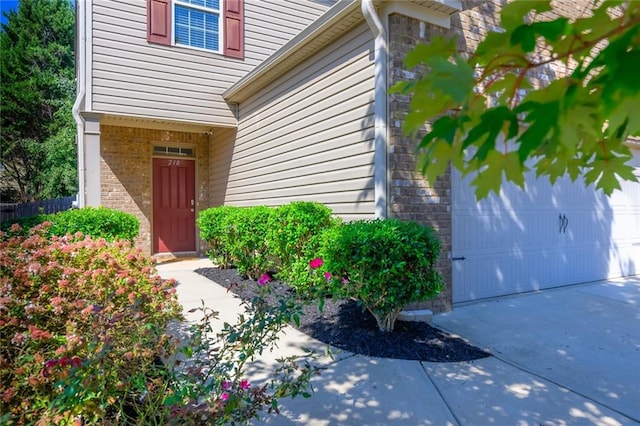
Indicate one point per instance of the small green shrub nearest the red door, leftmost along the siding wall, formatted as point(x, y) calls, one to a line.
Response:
point(217, 228)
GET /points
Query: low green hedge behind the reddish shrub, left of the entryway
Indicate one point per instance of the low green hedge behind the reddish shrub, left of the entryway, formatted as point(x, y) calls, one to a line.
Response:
point(100, 222)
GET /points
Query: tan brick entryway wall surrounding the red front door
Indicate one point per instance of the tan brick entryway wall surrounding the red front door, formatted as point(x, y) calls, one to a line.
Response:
point(126, 171)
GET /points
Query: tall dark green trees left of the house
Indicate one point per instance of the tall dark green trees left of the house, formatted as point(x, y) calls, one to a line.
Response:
point(36, 94)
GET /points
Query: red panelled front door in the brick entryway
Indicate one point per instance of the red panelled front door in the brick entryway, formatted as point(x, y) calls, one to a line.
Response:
point(174, 228)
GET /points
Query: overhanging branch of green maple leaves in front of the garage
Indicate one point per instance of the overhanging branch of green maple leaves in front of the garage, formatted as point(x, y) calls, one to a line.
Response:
point(486, 118)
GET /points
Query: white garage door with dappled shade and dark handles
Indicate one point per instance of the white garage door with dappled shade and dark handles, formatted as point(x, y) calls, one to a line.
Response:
point(545, 236)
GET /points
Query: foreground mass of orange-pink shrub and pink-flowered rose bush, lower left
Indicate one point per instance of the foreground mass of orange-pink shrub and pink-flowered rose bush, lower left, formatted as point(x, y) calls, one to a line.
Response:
point(84, 339)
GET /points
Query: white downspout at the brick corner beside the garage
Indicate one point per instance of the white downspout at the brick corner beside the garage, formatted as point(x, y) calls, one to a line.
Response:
point(380, 108)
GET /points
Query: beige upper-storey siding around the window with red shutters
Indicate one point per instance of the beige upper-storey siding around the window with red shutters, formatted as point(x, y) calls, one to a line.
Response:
point(133, 77)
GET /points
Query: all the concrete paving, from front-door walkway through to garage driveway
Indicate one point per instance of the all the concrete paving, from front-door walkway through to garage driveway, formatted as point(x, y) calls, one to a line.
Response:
point(569, 356)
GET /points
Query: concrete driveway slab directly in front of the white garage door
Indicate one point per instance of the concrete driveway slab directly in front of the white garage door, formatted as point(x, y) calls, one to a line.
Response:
point(584, 338)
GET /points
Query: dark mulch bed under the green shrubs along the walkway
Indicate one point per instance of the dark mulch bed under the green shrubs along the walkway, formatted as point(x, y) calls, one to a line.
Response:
point(345, 325)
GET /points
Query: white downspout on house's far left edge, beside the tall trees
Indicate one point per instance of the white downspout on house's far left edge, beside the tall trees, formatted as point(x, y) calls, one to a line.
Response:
point(80, 99)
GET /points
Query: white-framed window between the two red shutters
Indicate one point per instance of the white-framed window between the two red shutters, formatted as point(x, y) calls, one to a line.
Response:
point(197, 23)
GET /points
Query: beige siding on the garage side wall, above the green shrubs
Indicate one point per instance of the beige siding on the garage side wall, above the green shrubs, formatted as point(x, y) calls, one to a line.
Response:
point(309, 134)
